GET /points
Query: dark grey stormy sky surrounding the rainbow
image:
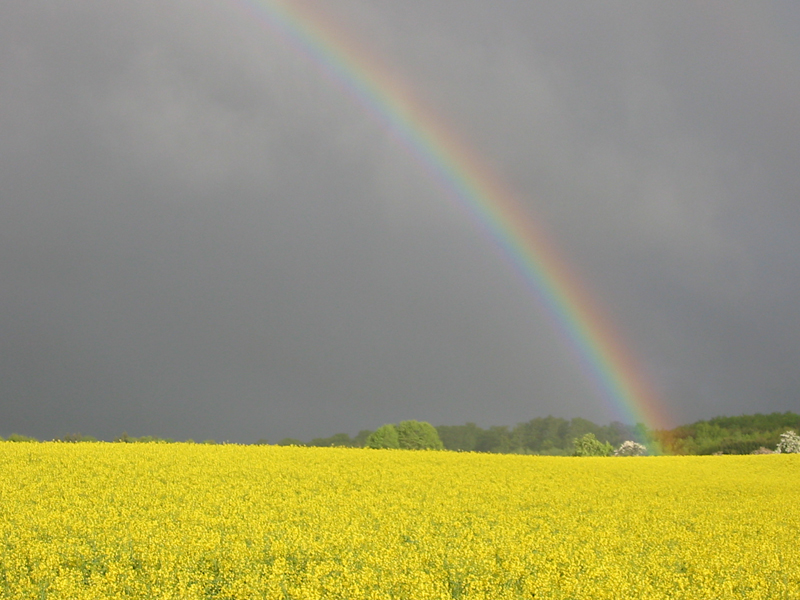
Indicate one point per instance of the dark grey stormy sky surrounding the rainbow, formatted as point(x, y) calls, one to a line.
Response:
point(203, 237)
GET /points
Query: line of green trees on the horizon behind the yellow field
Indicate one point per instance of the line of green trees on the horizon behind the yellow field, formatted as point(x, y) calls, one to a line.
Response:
point(544, 436)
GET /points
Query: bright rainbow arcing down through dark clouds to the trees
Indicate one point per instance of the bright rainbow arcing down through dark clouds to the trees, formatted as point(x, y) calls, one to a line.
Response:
point(468, 181)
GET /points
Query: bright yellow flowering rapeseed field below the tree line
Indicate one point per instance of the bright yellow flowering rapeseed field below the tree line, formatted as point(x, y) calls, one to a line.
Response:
point(185, 521)
